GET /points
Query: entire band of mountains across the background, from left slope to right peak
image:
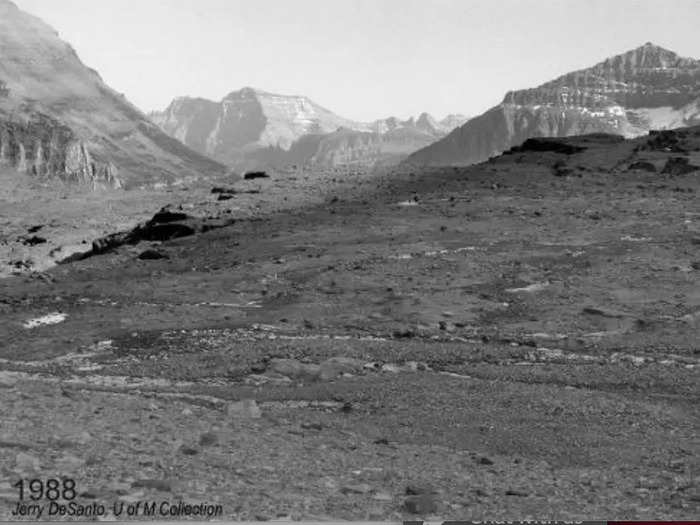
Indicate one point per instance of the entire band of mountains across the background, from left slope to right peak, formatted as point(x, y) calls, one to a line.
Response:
point(59, 119)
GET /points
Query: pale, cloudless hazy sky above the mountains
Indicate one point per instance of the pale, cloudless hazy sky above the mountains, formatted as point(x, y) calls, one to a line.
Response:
point(363, 59)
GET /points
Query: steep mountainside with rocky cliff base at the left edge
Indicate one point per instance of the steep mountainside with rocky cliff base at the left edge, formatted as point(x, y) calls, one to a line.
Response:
point(58, 118)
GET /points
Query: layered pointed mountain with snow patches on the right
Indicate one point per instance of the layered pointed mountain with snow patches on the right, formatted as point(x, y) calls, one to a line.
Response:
point(629, 94)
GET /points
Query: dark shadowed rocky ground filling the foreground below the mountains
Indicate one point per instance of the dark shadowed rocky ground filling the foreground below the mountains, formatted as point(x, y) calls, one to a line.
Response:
point(515, 339)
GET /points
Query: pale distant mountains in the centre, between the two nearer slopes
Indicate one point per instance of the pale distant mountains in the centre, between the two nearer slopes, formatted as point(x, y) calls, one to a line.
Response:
point(253, 128)
